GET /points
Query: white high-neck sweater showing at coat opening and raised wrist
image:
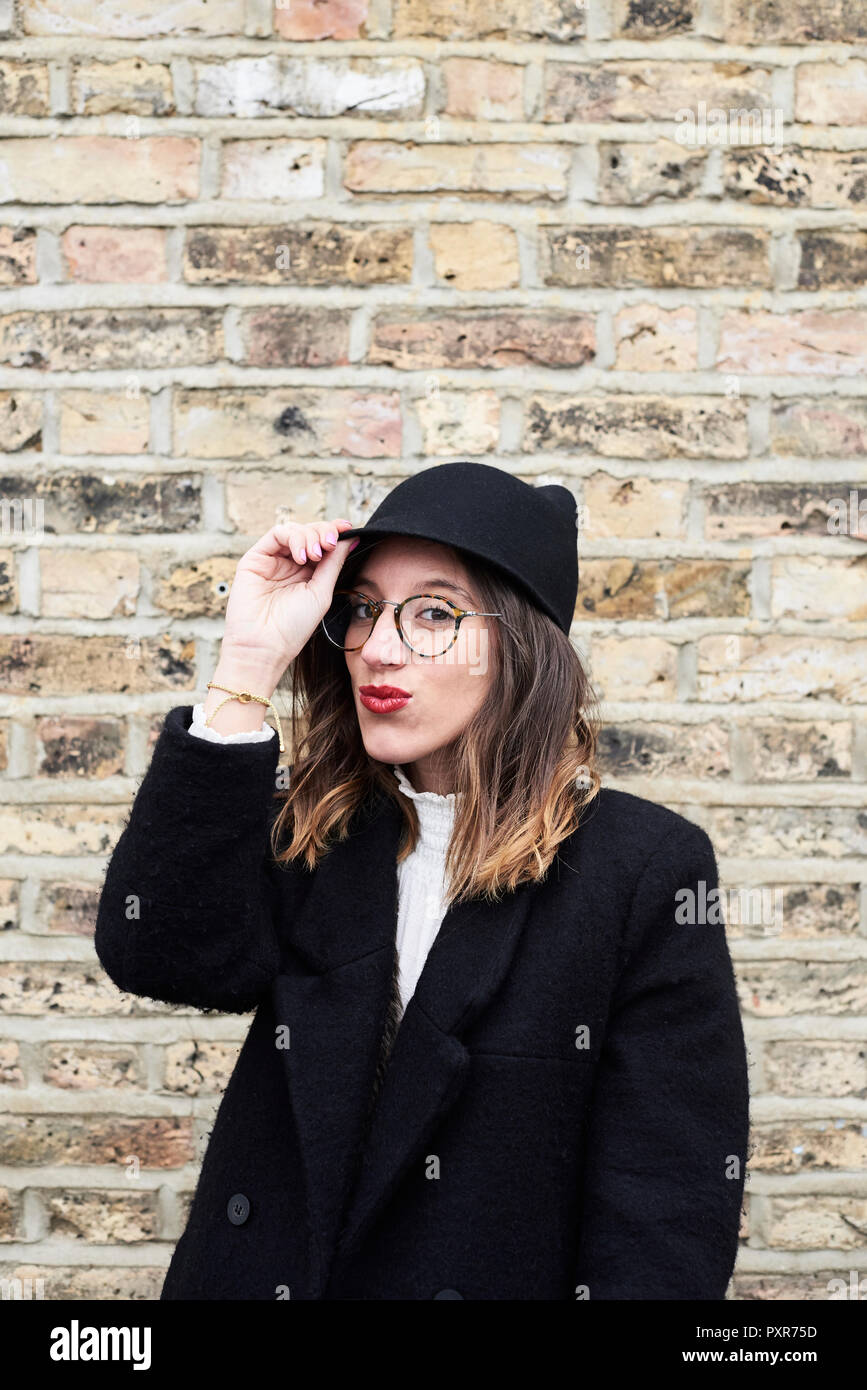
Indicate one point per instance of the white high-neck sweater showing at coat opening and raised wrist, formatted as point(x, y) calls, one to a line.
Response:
point(422, 875)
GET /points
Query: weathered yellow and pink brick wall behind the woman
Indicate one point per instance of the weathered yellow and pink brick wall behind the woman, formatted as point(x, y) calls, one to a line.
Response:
point(267, 259)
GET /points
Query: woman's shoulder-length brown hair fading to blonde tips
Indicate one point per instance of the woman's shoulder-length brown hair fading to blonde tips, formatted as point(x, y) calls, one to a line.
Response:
point(525, 762)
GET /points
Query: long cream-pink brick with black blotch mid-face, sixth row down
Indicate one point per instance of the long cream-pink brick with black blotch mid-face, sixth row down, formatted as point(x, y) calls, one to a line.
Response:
point(261, 425)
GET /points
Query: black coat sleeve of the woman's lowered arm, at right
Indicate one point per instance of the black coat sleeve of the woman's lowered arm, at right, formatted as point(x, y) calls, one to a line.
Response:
point(669, 1131)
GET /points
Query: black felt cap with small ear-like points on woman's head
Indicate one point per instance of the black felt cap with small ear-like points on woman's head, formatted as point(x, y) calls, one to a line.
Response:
point(531, 534)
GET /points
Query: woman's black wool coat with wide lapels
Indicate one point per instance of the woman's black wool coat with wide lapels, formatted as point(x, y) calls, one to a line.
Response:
point(562, 1113)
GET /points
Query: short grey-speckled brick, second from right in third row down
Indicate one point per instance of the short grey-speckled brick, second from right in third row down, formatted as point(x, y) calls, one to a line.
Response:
point(638, 174)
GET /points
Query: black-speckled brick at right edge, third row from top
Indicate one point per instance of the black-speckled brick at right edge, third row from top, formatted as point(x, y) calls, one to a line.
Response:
point(795, 177)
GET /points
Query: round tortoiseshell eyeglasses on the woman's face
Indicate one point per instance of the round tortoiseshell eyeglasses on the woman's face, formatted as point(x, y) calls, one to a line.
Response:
point(429, 623)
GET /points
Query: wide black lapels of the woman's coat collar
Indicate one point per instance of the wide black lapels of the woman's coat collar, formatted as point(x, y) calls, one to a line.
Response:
point(336, 1001)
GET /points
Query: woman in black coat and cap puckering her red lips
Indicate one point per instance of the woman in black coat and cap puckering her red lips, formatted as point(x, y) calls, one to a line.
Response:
point(530, 1084)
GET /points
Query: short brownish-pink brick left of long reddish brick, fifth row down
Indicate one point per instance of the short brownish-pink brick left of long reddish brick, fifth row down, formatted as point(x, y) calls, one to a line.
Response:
point(291, 336)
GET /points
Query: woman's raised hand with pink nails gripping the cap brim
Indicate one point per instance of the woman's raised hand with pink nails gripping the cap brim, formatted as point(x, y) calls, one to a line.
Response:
point(283, 590)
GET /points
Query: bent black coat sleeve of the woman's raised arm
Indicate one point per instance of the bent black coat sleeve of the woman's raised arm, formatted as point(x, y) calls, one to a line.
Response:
point(185, 911)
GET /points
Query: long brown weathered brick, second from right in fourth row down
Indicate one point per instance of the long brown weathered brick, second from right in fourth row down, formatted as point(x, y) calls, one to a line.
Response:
point(662, 258)
